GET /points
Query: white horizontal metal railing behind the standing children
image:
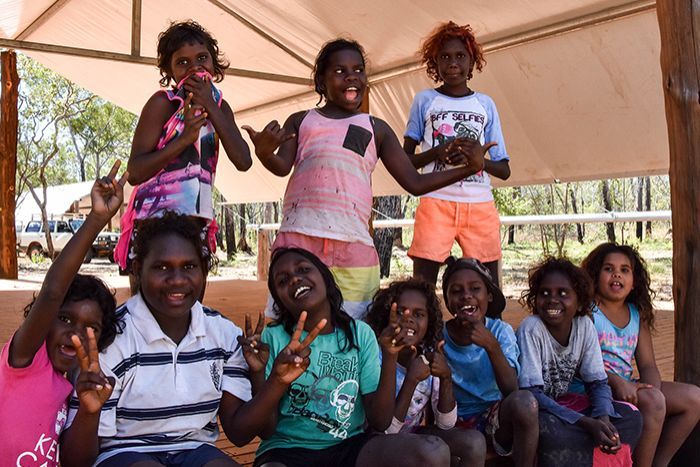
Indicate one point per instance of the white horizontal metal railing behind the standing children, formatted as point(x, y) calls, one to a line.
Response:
point(635, 216)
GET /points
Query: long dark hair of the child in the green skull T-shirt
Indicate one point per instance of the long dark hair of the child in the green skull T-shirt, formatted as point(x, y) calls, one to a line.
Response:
point(339, 318)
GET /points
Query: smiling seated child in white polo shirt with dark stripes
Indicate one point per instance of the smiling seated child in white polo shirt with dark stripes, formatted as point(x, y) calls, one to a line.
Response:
point(177, 364)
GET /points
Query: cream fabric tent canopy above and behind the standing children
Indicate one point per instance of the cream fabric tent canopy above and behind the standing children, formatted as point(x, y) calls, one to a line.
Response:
point(577, 82)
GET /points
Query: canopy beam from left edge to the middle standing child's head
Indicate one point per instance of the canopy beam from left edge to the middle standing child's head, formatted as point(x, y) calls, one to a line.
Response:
point(118, 57)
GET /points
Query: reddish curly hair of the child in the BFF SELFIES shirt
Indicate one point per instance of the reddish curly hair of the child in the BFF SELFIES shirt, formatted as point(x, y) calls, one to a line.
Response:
point(442, 33)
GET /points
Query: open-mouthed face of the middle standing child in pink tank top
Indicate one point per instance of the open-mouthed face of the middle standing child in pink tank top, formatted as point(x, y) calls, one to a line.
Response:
point(344, 79)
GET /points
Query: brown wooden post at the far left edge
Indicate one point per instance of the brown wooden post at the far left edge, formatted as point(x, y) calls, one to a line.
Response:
point(8, 163)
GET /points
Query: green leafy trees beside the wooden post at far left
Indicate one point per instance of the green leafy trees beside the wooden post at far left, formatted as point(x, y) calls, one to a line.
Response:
point(58, 118)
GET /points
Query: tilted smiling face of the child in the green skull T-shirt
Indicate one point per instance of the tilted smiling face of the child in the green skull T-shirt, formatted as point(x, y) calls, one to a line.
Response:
point(298, 284)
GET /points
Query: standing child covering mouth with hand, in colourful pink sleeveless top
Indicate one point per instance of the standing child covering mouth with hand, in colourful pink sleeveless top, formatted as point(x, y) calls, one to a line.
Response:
point(176, 145)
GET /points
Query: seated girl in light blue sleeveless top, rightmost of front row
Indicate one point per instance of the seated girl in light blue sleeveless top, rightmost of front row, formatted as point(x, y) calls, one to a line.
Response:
point(624, 318)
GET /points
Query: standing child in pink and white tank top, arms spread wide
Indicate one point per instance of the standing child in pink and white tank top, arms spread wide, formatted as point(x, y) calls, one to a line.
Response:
point(333, 150)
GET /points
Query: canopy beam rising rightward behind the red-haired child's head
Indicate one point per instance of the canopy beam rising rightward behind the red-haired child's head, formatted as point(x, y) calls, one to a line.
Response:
point(500, 43)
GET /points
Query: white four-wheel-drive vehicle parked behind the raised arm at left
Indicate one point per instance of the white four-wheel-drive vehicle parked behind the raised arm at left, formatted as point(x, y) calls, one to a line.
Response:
point(32, 239)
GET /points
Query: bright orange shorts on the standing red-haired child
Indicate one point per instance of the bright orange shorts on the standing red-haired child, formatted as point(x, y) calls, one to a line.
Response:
point(475, 226)
